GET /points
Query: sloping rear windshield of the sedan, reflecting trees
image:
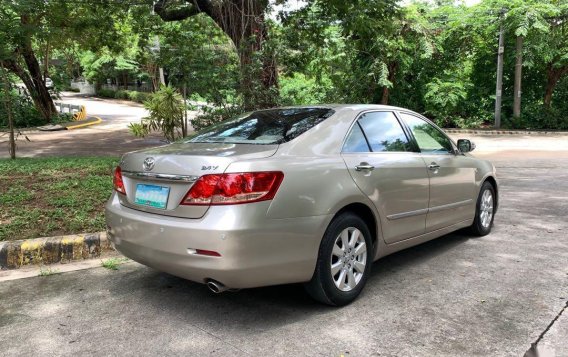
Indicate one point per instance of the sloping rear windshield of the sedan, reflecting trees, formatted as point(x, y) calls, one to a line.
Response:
point(272, 126)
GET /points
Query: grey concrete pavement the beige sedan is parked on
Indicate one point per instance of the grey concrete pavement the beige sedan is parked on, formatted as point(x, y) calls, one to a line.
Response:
point(455, 296)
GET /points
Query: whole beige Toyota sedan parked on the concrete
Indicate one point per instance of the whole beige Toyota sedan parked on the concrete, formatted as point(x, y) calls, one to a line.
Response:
point(300, 194)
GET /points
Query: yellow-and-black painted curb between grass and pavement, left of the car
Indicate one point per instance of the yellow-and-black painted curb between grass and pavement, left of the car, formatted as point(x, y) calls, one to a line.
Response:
point(49, 250)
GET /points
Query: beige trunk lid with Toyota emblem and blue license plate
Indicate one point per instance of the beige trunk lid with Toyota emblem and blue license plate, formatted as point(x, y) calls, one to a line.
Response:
point(156, 180)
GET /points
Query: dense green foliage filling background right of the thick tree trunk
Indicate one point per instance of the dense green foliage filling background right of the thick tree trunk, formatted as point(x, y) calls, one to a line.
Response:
point(436, 58)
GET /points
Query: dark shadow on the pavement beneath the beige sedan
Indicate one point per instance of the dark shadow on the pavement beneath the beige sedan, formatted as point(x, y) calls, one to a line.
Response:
point(264, 308)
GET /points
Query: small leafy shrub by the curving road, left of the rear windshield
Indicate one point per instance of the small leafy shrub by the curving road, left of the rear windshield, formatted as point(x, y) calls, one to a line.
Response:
point(166, 109)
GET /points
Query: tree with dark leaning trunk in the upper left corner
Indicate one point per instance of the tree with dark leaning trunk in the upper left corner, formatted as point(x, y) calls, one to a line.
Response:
point(31, 25)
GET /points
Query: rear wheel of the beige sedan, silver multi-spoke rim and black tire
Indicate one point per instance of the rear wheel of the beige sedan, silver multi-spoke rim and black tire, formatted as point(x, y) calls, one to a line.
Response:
point(342, 269)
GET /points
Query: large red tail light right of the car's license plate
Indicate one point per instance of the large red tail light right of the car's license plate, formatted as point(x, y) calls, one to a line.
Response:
point(234, 188)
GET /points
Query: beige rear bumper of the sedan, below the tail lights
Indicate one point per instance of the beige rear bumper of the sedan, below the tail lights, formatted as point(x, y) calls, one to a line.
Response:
point(255, 250)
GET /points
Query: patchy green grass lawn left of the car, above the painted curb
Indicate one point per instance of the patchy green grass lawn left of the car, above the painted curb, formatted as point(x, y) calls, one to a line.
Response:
point(53, 196)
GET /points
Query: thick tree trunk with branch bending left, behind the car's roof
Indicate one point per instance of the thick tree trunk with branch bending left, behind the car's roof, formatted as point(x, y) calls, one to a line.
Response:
point(244, 23)
